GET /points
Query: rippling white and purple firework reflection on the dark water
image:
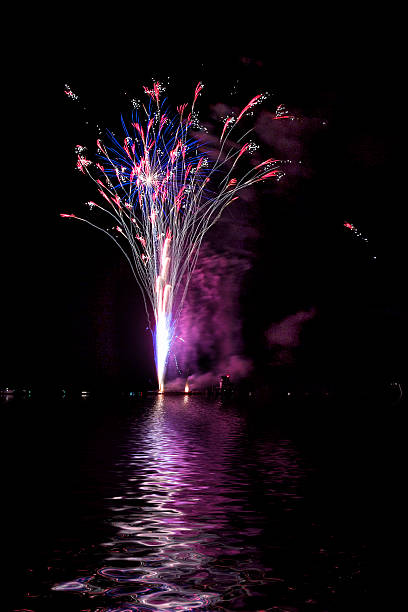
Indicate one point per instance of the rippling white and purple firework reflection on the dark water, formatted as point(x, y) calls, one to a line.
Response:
point(194, 495)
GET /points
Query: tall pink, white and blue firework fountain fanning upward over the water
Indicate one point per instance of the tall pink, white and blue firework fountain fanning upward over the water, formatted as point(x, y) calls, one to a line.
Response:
point(155, 186)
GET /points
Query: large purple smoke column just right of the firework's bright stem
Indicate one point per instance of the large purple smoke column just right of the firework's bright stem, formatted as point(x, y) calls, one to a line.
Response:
point(209, 332)
